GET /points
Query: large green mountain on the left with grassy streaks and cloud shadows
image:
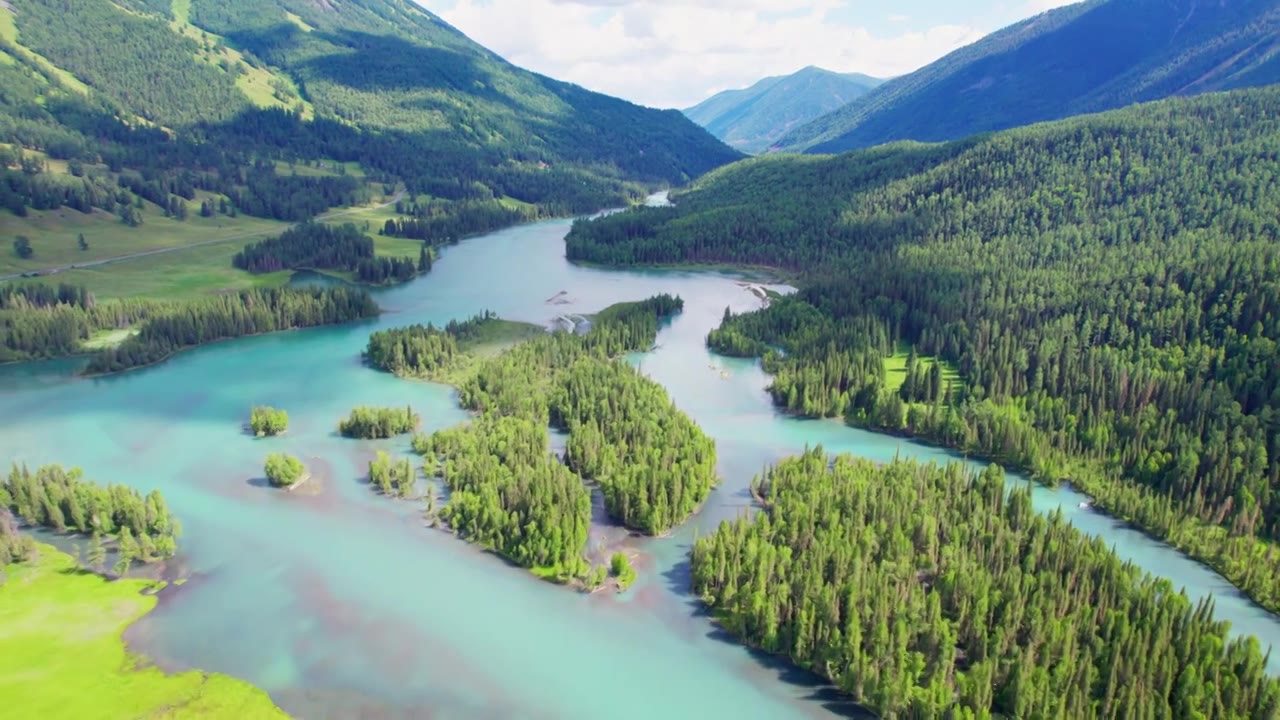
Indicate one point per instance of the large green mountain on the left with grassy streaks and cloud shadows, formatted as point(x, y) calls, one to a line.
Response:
point(198, 97)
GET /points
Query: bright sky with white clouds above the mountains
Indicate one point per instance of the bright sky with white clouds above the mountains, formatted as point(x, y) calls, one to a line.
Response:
point(678, 53)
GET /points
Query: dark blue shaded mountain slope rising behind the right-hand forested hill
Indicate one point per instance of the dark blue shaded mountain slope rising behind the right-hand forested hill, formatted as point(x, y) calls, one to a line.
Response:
point(1076, 60)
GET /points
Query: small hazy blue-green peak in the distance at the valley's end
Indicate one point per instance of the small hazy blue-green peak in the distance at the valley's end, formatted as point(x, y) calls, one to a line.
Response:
point(753, 119)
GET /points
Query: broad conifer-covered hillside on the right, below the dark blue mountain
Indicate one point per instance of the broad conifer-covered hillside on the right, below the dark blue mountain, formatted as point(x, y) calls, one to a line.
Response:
point(1108, 288)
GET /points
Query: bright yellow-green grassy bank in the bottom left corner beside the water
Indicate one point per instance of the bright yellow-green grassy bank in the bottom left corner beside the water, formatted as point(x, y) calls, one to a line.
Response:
point(62, 654)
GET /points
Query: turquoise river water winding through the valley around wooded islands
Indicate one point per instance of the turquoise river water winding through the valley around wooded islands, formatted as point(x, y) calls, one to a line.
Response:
point(344, 604)
